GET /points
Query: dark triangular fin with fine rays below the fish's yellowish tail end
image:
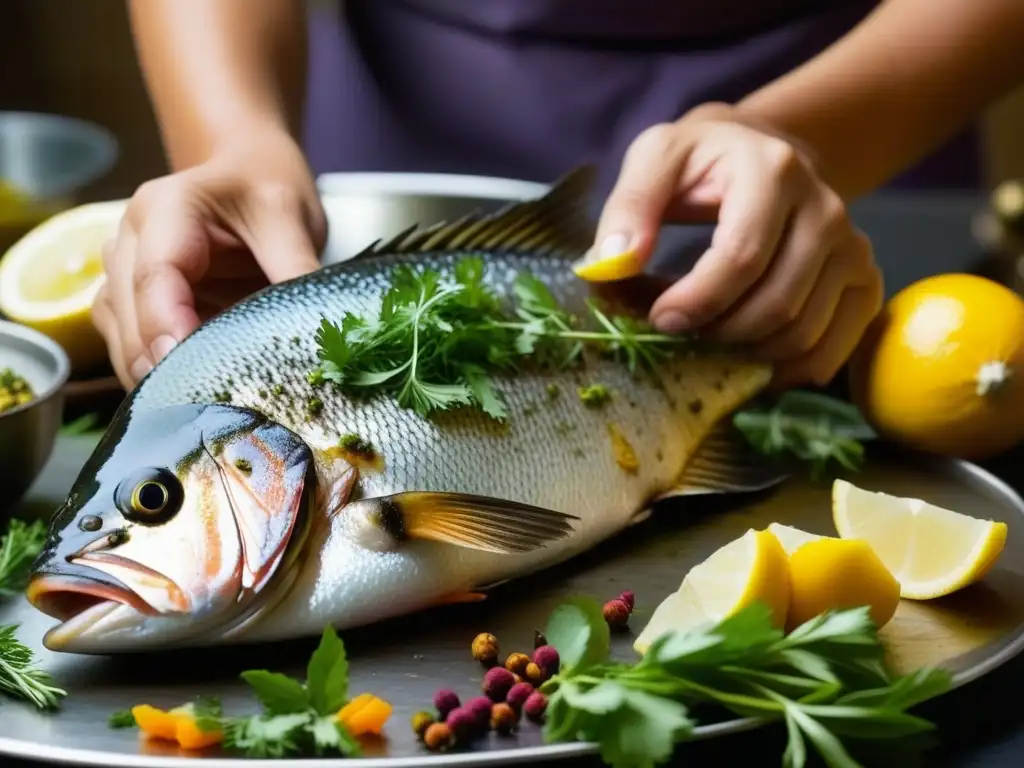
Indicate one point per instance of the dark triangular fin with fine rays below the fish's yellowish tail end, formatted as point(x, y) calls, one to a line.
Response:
point(726, 464)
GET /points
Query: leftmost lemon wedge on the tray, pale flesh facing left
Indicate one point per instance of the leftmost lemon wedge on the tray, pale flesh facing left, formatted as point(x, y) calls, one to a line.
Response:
point(746, 571)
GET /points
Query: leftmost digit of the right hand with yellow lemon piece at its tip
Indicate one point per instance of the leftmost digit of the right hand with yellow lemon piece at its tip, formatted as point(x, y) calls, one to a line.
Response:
point(632, 216)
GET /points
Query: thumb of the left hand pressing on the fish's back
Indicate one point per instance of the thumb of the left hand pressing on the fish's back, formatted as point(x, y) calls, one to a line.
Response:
point(283, 242)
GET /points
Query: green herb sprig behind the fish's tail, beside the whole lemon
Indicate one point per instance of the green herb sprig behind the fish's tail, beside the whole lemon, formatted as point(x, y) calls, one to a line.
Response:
point(814, 428)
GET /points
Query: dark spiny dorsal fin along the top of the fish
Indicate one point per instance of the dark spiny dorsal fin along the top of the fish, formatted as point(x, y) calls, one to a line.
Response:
point(558, 224)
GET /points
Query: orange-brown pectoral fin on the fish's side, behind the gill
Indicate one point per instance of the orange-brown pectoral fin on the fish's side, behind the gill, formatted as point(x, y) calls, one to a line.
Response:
point(461, 520)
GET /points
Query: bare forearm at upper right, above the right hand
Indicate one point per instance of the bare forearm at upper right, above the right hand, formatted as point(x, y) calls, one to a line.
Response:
point(909, 78)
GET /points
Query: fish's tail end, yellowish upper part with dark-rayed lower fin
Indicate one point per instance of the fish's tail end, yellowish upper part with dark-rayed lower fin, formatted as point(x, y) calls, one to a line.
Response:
point(722, 462)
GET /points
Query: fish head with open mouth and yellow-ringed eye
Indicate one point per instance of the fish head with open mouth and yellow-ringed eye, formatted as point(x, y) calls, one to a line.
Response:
point(174, 530)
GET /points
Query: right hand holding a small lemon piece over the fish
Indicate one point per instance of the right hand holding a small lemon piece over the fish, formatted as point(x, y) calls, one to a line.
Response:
point(788, 276)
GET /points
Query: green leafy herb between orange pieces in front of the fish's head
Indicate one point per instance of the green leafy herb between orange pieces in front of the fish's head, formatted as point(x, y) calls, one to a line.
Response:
point(297, 719)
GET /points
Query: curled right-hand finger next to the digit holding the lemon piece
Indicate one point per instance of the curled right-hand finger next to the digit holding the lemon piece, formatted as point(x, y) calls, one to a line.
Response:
point(761, 190)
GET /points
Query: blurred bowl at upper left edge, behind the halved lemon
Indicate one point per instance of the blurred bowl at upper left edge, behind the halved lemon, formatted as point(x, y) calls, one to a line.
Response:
point(47, 161)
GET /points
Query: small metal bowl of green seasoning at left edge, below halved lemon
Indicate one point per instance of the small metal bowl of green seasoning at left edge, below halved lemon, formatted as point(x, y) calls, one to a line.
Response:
point(29, 433)
